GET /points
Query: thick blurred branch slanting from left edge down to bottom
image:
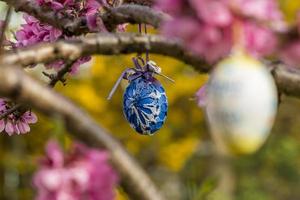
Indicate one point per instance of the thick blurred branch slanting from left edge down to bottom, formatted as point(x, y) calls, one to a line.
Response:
point(17, 85)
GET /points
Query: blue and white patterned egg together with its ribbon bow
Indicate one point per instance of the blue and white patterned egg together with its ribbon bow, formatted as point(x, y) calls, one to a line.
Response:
point(145, 102)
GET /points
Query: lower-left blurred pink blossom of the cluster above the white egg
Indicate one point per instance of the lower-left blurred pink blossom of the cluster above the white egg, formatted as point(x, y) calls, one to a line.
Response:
point(210, 42)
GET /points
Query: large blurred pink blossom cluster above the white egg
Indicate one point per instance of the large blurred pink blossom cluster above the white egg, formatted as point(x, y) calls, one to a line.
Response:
point(210, 28)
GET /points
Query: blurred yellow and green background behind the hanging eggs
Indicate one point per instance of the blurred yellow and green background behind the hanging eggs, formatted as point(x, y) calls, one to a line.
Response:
point(180, 157)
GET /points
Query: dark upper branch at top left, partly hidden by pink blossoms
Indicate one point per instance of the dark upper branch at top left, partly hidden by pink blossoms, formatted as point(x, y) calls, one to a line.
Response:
point(112, 17)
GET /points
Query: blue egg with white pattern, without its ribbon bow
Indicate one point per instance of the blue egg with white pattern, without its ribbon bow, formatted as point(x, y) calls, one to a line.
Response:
point(145, 105)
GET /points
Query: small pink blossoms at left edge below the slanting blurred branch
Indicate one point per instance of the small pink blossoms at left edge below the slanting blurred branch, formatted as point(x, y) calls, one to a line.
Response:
point(15, 123)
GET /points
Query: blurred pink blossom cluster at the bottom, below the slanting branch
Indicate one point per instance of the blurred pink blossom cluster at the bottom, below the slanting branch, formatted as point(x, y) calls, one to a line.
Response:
point(84, 173)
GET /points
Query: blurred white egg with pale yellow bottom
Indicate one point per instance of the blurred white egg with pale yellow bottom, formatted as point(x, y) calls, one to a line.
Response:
point(241, 103)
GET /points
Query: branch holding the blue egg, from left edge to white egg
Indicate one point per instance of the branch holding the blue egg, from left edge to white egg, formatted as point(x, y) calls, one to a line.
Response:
point(106, 44)
